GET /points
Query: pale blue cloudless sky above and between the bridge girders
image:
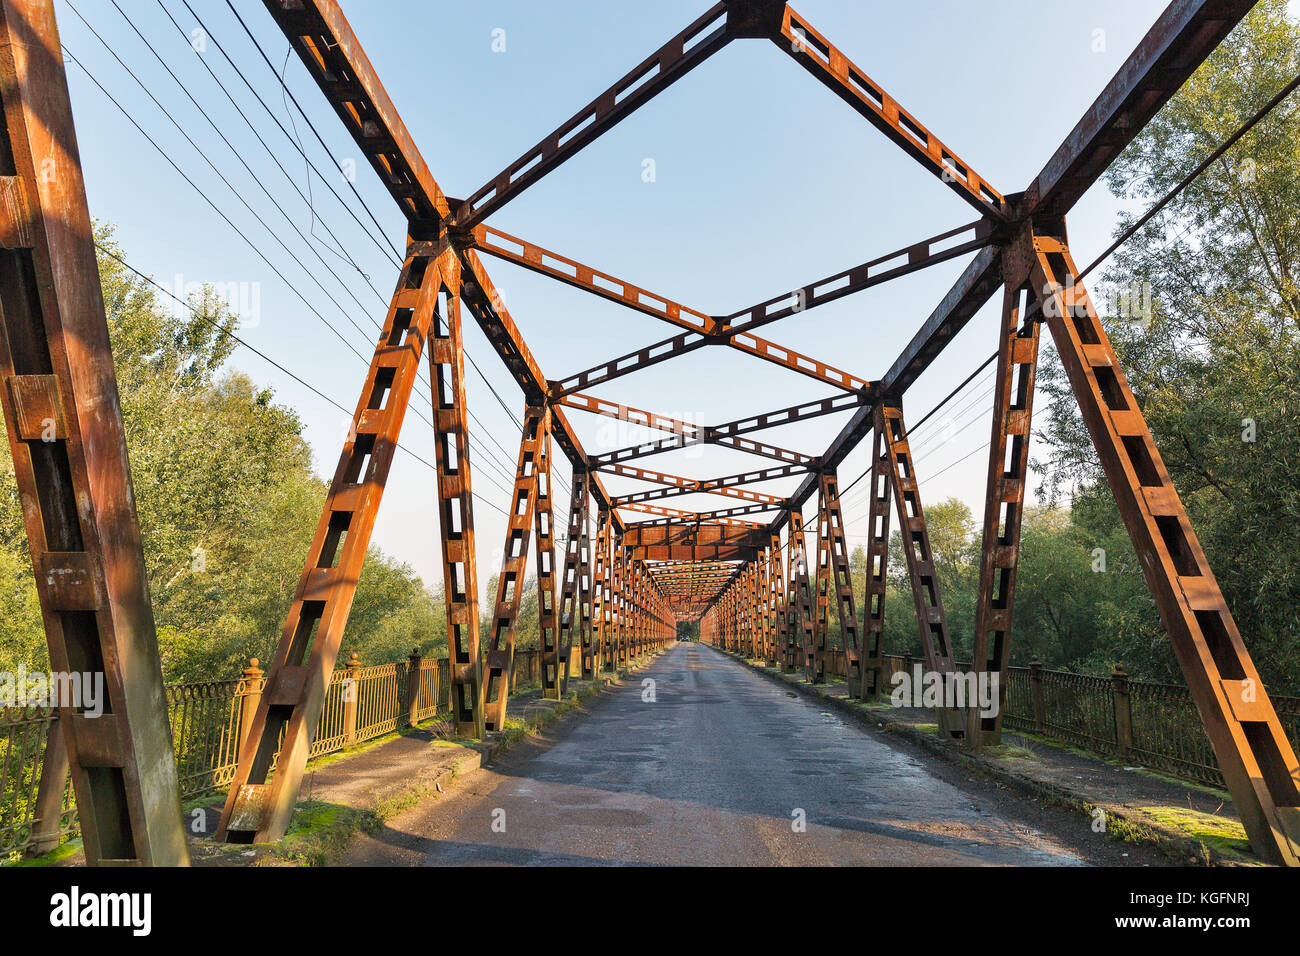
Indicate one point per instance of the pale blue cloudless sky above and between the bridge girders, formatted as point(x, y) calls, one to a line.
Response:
point(764, 183)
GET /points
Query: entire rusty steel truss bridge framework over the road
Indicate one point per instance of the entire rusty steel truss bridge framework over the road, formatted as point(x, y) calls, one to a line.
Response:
point(744, 570)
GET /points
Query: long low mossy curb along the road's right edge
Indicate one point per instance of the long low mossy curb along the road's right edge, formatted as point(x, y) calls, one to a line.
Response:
point(1132, 827)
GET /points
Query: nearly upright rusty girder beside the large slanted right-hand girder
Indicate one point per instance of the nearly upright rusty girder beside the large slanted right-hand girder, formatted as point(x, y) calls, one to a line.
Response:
point(1004, 503)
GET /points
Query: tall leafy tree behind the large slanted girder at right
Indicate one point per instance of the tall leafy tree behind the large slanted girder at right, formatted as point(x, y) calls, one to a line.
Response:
point(1215, 362)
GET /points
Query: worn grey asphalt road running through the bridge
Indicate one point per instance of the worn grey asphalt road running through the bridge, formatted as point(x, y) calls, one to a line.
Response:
point(713, 764)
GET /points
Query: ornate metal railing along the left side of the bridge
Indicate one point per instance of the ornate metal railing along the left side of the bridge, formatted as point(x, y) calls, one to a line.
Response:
point(210, 720)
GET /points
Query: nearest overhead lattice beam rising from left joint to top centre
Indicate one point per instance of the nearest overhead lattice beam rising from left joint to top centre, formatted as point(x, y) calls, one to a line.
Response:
point(655, 75)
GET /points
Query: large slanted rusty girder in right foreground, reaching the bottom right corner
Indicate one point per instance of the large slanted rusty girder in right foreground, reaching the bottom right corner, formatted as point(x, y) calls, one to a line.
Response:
point(1250, 743)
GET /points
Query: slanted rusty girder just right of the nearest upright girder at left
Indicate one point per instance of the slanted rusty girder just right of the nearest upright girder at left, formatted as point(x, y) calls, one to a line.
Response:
point(500, 660)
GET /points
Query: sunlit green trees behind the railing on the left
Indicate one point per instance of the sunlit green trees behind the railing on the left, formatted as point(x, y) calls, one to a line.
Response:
point(227, 500)
